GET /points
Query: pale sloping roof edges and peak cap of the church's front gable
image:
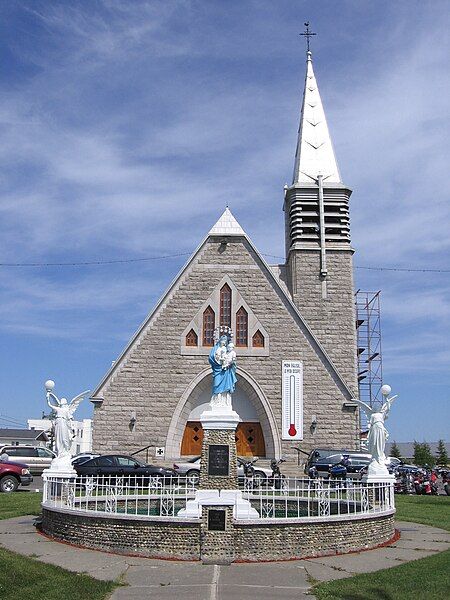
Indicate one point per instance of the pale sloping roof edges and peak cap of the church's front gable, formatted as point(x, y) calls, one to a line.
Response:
point(217, 230)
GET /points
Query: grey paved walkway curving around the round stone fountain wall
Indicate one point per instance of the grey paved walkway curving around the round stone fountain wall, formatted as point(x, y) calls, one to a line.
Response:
point(164, 580)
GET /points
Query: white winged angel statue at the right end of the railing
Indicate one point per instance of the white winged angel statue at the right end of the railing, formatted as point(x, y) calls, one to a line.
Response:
point(378, 434)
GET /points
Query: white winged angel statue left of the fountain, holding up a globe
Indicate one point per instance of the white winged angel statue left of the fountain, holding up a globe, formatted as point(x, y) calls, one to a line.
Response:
point(64, 412)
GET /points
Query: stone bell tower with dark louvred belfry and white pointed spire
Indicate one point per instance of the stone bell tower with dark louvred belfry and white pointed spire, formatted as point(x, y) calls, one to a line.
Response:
point(317, 231)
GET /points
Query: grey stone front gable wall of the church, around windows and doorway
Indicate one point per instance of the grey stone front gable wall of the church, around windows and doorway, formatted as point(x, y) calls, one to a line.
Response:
point(153, 376)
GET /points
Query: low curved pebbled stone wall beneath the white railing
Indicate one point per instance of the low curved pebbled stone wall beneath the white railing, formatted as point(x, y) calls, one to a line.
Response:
point(253, 541)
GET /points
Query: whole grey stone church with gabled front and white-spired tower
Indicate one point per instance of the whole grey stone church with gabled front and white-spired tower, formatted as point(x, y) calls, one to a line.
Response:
point(293, 326)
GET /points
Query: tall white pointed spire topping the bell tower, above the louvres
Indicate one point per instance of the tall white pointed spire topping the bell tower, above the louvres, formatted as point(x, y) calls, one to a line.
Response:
point(315, 154)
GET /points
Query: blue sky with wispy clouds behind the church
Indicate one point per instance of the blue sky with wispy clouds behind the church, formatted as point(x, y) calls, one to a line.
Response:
point(128, 126)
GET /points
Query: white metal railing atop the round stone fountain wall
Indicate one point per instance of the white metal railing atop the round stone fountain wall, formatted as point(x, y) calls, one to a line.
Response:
point(283, 498)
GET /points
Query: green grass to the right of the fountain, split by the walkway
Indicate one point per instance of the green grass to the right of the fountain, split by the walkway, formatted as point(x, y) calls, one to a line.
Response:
point(429, 577)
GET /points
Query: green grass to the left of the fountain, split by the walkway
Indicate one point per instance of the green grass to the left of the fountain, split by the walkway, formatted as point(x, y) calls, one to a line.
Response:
point(22, 578)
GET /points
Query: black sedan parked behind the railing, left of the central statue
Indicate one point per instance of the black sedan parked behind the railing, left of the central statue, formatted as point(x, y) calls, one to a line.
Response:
point(114, 465)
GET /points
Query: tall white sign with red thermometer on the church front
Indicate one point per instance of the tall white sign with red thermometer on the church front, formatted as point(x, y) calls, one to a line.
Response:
point(292, 400)
